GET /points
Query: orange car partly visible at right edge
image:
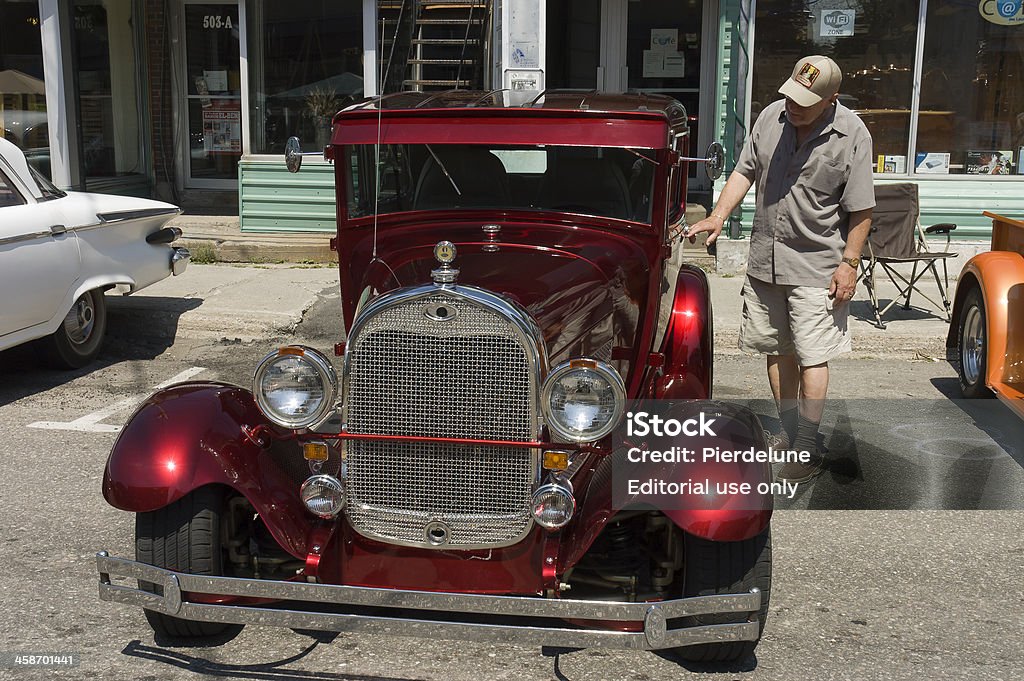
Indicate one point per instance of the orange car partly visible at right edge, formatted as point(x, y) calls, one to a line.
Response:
point(988, 329)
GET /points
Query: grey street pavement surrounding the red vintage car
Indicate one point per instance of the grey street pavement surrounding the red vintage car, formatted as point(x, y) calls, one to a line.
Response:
point(881, 569)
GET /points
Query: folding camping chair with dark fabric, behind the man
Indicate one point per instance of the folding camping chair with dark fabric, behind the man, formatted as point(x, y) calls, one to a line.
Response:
point(899, 238)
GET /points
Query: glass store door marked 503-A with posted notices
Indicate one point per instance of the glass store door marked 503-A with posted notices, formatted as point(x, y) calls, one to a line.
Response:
point(212, 90)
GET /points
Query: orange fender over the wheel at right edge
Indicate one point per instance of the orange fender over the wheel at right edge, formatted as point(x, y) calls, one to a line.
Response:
point(1000, 275)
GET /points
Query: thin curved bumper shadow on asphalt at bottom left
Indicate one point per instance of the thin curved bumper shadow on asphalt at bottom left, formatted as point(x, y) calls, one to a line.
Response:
point(262, 672)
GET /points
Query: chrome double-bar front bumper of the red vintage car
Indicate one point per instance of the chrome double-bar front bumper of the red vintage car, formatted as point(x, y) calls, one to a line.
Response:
point(537, 620)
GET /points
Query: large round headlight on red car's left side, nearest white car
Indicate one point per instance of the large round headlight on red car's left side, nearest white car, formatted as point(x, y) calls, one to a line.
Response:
point(295, 387)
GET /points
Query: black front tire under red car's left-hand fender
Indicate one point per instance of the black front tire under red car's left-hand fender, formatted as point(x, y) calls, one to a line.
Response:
point(186, 538)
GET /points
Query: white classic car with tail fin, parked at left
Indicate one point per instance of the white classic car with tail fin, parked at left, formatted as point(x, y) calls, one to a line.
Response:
point(61, 251)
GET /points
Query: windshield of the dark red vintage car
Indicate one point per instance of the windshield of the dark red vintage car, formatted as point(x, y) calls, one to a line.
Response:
point(603, 182)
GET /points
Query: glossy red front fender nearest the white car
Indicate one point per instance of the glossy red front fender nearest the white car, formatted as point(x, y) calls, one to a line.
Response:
point(195, 435)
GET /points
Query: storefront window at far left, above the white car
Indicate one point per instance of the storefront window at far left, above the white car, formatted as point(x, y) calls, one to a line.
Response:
point(23, 98)
